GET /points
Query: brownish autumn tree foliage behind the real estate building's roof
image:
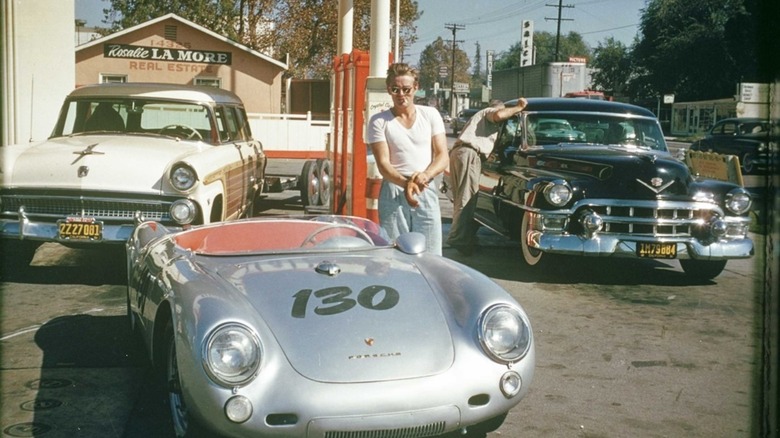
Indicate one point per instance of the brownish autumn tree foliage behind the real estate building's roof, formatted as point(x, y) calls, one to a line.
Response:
point(305, 29)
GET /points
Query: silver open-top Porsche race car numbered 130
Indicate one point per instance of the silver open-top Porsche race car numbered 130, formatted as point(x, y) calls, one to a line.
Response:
point(320, 327)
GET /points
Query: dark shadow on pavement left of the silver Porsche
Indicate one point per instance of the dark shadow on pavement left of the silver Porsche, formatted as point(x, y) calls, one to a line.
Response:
point(87, 380)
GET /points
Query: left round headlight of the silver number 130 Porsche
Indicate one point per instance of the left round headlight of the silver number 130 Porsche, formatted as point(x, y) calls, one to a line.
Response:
point(232, 355)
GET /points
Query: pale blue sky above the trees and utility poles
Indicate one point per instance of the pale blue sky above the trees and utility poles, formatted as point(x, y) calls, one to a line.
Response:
point(494, 24)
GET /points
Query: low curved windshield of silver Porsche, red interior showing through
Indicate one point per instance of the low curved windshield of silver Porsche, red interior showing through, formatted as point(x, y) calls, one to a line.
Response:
point(326, 233)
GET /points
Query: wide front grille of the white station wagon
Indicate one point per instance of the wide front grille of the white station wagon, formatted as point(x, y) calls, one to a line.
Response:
point(100, 208)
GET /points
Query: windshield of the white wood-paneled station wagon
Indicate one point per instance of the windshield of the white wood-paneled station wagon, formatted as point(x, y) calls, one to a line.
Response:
point(127, 116)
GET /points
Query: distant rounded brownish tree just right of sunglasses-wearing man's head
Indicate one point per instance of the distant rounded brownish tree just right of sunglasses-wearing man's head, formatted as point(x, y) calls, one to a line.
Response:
point(439, 54)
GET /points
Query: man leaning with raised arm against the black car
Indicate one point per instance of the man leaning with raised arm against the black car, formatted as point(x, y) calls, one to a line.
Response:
point(472, 146)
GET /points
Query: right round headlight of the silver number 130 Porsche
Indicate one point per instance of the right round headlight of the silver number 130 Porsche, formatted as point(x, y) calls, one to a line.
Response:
point(504, 333)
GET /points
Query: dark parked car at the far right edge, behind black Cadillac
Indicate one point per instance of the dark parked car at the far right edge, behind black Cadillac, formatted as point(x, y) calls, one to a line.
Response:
point(753, 140)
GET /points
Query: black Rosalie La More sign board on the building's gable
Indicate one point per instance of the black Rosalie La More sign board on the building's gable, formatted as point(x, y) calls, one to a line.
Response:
point(127, 51)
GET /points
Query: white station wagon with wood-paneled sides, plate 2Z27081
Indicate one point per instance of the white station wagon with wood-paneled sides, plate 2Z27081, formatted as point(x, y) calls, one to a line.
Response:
point(123, 153)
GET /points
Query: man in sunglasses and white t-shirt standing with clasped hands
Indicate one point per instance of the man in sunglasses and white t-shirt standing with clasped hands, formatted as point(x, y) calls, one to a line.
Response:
point(409, 144)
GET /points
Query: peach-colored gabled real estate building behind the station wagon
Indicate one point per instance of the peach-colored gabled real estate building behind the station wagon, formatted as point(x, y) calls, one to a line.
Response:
point(172, 49)
